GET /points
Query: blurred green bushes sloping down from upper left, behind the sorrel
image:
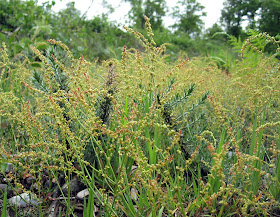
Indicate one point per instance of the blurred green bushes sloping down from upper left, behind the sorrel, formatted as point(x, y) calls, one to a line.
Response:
point(93, 38)
